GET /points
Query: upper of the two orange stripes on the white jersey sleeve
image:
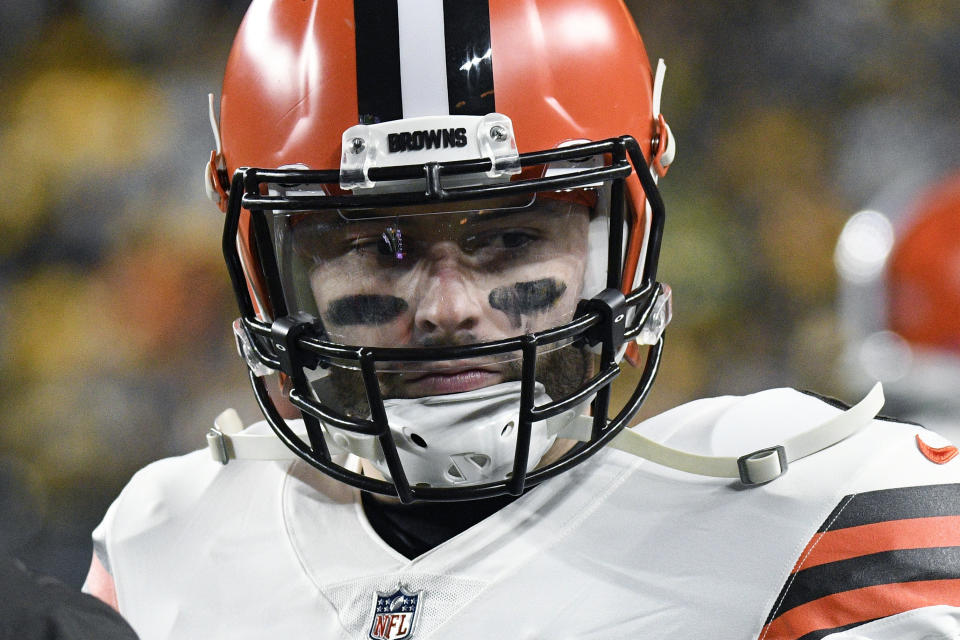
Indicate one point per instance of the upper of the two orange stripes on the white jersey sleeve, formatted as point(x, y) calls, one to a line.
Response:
point(912, 533)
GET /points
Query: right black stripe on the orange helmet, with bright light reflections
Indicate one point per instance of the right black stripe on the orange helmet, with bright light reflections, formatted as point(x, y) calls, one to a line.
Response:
point(469, 57)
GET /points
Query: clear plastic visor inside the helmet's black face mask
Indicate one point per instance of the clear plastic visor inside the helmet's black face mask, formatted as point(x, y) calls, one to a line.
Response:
point(448, 275)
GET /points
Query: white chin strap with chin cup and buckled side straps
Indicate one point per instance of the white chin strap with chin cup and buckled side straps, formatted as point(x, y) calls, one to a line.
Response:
point(481, 447)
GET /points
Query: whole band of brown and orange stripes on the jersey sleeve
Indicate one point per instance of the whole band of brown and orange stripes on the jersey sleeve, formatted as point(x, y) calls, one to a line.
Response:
point(878, 554)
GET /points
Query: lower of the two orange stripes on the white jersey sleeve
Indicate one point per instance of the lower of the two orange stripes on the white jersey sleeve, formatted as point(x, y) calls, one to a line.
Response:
point(860, 605)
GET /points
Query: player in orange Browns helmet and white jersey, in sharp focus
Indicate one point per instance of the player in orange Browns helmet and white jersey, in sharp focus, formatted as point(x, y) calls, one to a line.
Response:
point(442, 227)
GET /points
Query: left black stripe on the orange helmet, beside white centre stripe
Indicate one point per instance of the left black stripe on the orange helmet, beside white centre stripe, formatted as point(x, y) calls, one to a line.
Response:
point(378, 61)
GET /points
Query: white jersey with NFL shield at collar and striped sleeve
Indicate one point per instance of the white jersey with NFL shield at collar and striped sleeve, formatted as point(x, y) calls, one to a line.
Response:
point(618, 547)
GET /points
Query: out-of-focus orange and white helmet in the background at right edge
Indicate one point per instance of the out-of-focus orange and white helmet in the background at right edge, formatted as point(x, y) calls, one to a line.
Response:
point(899, 267)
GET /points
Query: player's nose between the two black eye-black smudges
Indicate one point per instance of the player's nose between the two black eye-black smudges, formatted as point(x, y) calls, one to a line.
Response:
point(449, 304)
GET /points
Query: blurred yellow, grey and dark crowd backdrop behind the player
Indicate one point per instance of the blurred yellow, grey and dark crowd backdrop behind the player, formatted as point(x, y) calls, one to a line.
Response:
point(115, 306)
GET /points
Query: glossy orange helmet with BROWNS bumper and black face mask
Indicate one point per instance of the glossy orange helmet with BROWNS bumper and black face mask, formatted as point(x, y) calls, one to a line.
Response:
point(442, 228)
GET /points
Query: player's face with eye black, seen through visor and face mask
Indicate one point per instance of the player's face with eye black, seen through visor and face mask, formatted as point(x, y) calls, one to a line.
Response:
point(402, 279)
